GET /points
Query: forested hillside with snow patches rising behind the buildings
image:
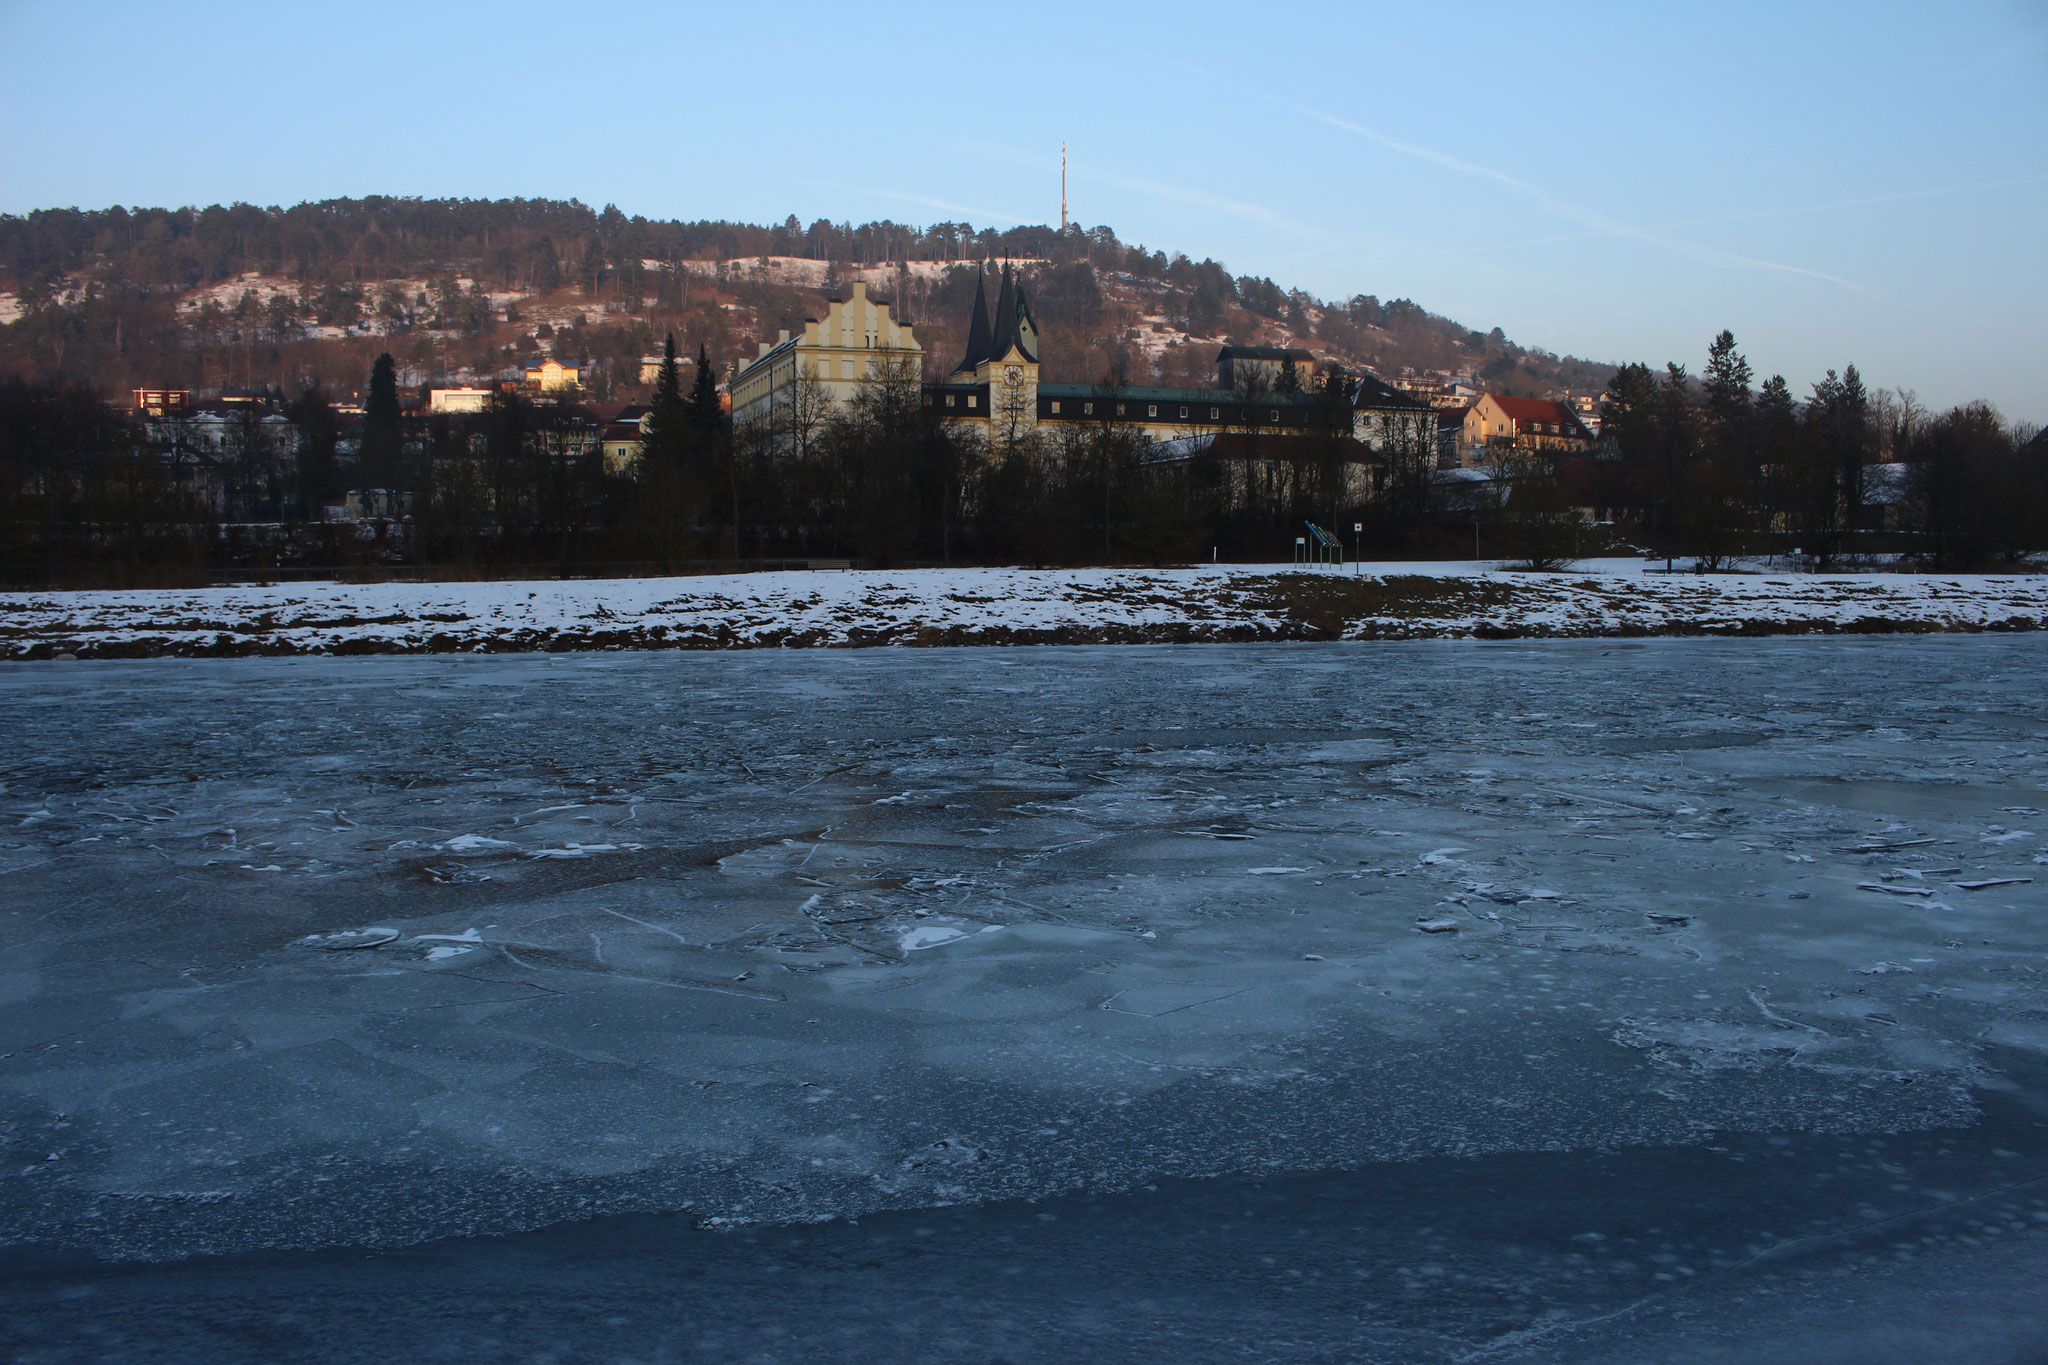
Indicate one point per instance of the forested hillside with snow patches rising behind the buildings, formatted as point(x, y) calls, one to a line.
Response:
point(454, 288)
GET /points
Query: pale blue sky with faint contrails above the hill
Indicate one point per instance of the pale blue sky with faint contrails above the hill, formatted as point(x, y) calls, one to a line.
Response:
point(1838, 183)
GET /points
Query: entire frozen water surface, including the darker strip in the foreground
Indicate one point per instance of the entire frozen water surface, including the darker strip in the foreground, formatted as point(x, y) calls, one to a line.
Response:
point(1365, 1002)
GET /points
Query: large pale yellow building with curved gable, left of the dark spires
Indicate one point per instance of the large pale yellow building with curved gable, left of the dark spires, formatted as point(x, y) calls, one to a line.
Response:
point(826, 363)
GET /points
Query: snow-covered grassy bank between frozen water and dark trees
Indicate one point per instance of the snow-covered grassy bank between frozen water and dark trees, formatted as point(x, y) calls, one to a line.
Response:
point(1002, 607)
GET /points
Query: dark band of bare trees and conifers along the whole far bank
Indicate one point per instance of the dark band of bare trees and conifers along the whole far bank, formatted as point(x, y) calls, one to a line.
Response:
point(1709, 470)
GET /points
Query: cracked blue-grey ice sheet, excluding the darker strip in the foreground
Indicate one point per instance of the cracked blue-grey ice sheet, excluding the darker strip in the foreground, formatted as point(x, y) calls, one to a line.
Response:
point(771, 989)
